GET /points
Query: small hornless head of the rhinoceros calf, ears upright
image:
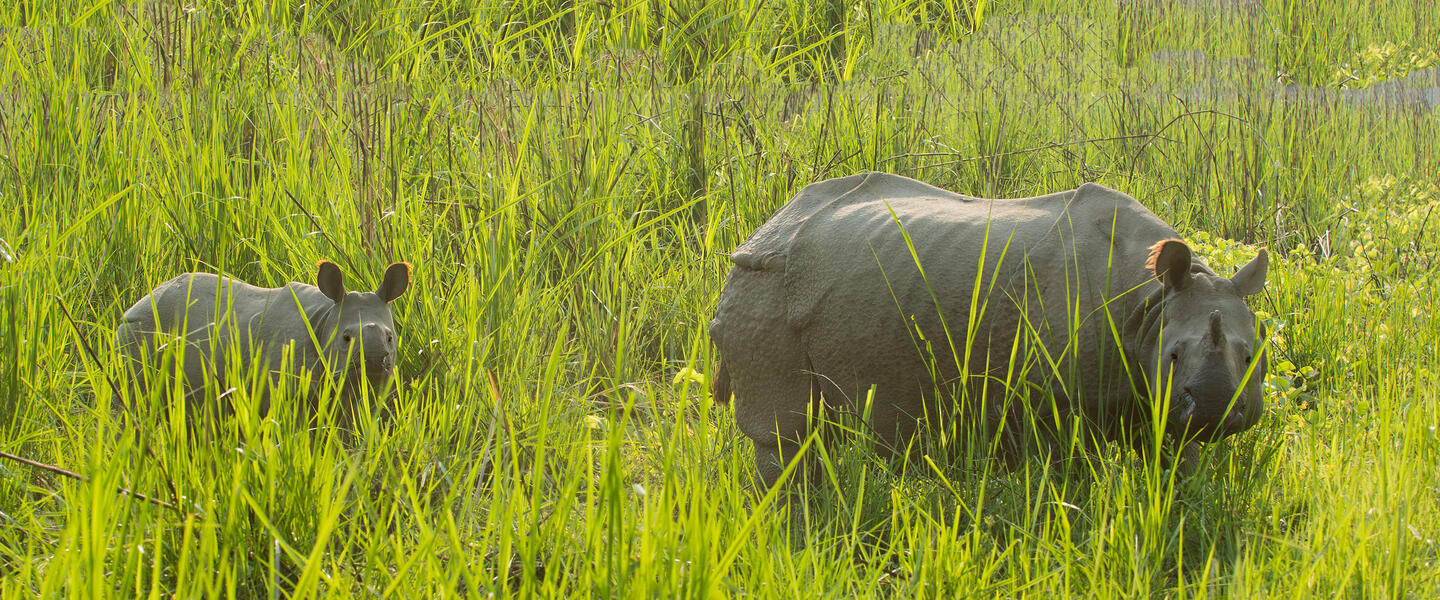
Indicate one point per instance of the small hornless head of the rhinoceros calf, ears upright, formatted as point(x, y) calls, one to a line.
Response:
point(364, 336)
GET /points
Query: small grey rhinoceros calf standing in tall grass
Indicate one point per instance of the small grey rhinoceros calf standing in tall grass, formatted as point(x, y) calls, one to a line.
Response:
point(315, 327)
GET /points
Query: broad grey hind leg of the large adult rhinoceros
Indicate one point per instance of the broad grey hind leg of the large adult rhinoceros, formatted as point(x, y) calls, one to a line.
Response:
point(768, 368)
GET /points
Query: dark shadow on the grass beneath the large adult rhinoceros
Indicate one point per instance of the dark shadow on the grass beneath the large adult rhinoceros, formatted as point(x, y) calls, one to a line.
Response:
point(859, 503)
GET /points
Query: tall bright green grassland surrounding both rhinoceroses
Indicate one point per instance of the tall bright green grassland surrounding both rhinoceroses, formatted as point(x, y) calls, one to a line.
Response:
point(567, 179)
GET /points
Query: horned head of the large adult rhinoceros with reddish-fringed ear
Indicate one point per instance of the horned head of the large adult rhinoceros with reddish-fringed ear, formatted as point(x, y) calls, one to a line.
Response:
point(1196, 340)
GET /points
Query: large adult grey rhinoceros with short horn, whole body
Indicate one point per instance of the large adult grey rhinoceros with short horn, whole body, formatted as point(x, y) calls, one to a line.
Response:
point(826, 297)
